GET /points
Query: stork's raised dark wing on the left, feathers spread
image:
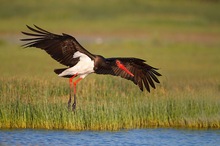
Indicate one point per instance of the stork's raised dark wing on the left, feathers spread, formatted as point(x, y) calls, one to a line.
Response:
point(59, 47)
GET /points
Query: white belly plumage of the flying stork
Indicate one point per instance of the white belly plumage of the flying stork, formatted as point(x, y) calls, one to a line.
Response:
point(82, 68)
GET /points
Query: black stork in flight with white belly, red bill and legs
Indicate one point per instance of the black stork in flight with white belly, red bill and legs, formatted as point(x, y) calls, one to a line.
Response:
point(67, 50)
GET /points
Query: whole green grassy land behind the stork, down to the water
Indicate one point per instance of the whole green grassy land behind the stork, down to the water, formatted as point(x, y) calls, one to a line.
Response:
point(182, 39)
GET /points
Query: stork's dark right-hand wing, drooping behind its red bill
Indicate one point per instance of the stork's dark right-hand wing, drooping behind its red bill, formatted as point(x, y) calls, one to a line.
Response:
point(144, 74)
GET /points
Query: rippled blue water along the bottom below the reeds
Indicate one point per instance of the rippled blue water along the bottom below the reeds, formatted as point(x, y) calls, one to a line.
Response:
point(160, 137)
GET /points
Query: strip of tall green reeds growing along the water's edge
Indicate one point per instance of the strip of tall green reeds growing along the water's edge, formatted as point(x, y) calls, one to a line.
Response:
point(103, 105)
